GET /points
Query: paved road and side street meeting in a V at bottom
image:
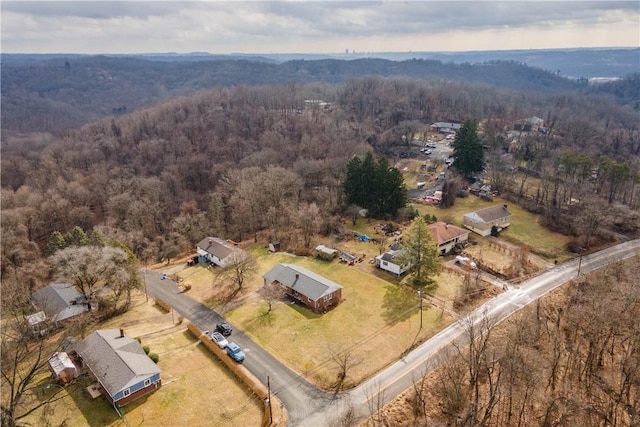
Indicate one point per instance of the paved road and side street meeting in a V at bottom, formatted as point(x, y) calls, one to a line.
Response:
point(308, 406)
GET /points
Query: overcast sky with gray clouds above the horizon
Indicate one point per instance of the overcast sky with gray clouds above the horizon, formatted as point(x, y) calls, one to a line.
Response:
point(313, 26)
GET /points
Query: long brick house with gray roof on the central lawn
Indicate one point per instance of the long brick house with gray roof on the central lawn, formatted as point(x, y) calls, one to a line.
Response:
point(314, 291)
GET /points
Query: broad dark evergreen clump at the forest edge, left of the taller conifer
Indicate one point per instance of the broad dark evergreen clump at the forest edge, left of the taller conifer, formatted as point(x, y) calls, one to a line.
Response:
point(375, 186)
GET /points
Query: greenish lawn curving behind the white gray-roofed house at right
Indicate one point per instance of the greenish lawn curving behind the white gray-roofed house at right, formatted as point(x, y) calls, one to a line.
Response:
point(524, 228)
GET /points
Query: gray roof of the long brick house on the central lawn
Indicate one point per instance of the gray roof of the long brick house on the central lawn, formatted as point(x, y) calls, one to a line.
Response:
point(304, 281)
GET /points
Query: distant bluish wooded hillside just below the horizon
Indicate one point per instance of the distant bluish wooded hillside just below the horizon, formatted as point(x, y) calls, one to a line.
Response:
point(62, 93)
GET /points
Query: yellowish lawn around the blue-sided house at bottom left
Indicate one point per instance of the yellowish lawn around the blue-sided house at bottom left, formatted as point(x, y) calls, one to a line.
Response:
point(196, 388)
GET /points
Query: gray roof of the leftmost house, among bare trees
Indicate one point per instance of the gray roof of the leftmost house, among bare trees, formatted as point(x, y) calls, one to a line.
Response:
point(54, 298)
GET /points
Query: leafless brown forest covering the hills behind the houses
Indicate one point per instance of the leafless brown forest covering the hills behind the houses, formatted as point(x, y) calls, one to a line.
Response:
point(242, 161)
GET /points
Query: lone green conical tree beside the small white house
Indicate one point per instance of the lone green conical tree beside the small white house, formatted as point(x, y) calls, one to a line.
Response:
point(421, 252)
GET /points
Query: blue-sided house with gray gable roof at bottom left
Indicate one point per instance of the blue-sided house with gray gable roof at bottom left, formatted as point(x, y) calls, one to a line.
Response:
point(120, 365)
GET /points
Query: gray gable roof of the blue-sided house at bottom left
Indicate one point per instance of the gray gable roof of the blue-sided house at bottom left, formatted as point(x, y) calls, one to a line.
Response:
point(117, 362)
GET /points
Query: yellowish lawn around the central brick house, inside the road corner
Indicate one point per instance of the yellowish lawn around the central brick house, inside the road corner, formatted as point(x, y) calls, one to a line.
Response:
point(376, 317)
